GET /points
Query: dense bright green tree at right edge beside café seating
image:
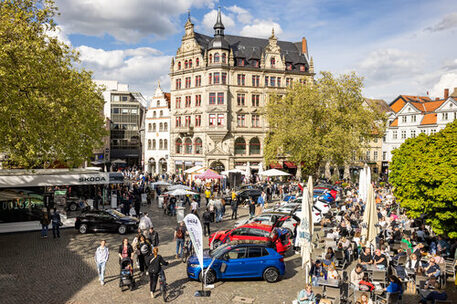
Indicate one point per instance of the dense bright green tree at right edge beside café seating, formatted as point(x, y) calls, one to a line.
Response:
point(424, 174)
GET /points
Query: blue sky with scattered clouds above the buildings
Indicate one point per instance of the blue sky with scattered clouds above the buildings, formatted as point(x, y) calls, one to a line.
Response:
point(400, 47)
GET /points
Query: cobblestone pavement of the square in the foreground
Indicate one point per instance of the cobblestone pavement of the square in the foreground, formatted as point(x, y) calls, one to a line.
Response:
point(35, 270)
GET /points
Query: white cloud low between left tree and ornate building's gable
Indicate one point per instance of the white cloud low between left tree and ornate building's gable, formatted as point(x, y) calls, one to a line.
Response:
point(140, 67)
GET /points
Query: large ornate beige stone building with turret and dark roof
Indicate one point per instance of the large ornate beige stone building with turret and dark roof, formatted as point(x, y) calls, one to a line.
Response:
point(219, 88)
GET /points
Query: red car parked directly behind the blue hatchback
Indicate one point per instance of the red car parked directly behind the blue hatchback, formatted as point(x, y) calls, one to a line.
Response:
point(253, 231)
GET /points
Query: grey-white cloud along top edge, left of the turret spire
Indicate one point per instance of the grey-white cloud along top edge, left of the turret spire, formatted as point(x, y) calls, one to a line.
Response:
point(126, 21)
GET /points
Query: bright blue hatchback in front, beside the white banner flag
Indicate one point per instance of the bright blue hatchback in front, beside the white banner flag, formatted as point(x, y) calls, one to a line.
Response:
point(238, 260)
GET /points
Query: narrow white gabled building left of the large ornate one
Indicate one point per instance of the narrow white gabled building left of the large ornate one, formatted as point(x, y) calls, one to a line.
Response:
point(157, 133)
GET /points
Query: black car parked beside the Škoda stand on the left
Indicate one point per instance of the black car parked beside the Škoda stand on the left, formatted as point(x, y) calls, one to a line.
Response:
point(105, 220)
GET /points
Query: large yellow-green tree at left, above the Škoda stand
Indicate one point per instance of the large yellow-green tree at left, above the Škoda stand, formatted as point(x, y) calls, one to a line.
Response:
point(50, 111)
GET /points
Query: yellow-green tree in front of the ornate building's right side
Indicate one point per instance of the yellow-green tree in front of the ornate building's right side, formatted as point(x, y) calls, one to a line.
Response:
point(320, 122)
